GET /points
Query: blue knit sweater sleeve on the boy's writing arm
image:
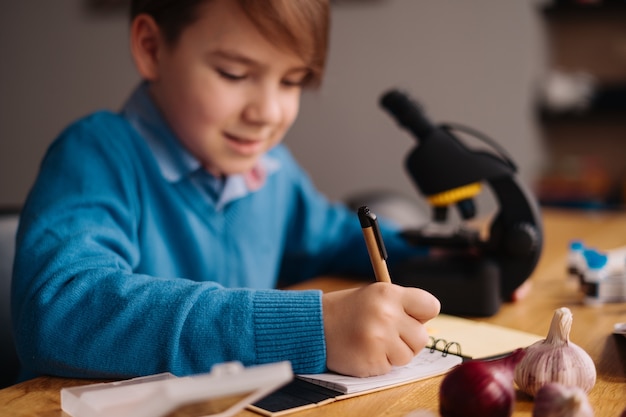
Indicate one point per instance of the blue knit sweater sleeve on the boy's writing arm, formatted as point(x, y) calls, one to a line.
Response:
point(80, 309)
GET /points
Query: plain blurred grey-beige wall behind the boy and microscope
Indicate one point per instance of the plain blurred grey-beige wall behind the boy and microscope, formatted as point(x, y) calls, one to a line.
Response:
point(471, 62)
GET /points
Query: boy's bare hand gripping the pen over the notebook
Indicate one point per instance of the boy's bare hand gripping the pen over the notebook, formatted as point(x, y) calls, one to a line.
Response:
point(372, 328)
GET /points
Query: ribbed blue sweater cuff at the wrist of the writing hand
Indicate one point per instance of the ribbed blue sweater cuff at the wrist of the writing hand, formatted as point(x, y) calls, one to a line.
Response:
point(289, 326)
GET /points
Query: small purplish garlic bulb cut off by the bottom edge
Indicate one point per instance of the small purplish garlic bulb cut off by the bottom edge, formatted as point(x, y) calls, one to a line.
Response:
point(556, 400)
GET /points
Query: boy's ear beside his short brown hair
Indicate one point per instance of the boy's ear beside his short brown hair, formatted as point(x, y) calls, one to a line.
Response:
point(145, 45)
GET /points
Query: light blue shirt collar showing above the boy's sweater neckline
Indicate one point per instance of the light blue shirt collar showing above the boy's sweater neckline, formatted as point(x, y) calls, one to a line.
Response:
point(174, 160)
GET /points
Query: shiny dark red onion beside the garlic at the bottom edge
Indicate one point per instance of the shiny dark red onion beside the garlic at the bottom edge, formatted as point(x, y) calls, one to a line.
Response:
point(480, 388)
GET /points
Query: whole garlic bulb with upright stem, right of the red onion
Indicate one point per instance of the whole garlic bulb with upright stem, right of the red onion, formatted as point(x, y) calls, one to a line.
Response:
point(556, 359)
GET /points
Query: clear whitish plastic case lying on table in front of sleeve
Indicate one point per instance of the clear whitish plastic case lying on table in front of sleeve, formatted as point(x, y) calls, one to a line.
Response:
point(161, 394)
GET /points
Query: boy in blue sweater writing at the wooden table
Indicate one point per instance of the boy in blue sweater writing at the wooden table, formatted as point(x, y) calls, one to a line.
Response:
point(153, 239)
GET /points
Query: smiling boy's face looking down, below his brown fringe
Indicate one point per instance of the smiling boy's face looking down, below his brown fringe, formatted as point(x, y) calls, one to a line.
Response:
point(228, 93)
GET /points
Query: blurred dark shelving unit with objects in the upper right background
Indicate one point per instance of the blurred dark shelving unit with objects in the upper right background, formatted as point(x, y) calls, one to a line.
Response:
point(582, 109)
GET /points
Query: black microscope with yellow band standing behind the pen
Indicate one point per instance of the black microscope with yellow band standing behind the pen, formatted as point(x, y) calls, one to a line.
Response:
point(470, 271)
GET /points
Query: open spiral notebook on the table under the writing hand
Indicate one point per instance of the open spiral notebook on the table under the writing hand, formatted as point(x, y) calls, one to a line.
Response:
point(453, 340)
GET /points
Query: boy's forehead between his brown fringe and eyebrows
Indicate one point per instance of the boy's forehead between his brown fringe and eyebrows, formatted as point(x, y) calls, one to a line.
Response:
point(222, 25)
